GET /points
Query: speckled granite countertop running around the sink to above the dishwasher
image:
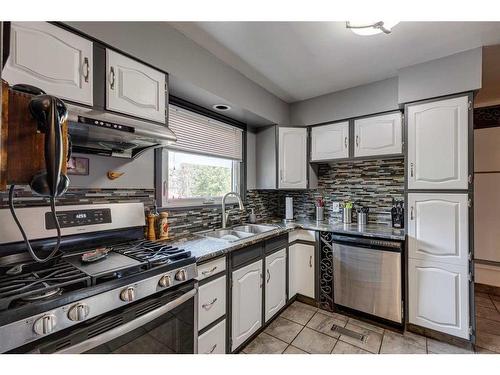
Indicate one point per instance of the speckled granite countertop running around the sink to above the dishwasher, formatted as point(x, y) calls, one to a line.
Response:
point(204, 248)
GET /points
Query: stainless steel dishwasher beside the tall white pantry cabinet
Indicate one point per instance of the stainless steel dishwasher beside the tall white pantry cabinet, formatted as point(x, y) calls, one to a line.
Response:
point(367, 276)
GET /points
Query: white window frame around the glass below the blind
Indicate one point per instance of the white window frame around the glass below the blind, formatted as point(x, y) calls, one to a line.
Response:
point(202, 201)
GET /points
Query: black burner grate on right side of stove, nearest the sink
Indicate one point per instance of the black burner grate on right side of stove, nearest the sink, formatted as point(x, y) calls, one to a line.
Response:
point(155, 253)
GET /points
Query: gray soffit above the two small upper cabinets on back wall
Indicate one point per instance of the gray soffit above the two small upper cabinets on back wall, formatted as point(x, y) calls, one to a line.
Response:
point(357, 101)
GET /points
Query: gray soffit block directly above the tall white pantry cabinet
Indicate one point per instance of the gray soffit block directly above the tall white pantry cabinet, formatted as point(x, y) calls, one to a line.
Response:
point(448, 75)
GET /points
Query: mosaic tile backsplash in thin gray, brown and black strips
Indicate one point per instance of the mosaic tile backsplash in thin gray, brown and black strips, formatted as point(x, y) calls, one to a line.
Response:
point(371, 184)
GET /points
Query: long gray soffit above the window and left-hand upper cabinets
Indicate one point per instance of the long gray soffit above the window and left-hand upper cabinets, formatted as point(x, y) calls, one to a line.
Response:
point(166, 48)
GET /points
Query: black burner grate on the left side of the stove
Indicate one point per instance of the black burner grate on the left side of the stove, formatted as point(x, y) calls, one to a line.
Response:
point(40, 282)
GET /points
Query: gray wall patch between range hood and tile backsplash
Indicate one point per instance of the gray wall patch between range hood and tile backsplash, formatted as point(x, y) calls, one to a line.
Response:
point(138, 173)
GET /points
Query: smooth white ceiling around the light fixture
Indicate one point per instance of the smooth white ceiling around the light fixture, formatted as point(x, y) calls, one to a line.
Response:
point(301, 60)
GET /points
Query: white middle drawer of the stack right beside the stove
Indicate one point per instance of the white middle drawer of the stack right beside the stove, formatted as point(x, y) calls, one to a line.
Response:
point(211, 301)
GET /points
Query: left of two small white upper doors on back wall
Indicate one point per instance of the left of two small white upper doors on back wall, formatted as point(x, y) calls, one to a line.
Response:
point(330, 141)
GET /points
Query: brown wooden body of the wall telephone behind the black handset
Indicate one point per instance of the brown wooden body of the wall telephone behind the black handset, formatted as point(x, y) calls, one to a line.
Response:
point(22, 145)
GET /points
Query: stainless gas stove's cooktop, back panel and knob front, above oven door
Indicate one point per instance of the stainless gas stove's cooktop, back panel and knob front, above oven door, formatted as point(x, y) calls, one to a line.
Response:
point(96, 273)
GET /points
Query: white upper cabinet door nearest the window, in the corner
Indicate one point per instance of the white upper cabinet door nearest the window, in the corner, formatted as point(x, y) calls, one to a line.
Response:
point(292, 155)
